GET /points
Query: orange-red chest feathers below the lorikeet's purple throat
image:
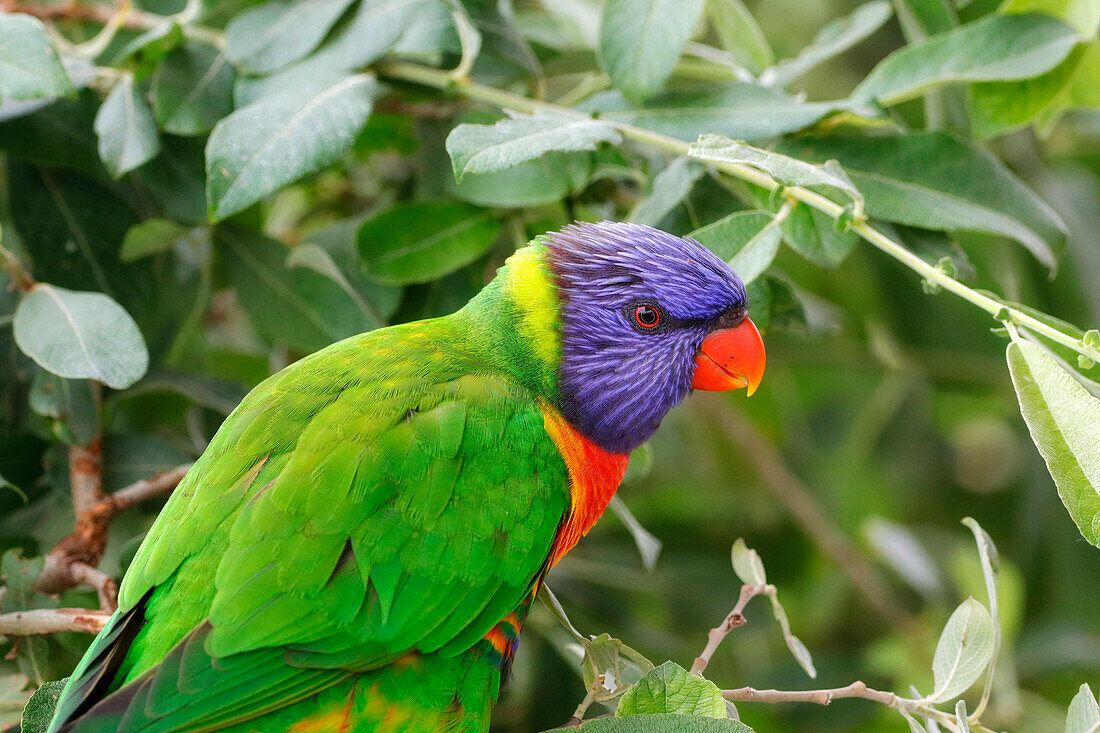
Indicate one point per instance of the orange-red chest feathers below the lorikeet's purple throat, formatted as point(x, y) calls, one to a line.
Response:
point(595, 475)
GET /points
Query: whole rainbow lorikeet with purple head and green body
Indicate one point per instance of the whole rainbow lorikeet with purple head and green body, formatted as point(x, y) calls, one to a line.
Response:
point(358, 548)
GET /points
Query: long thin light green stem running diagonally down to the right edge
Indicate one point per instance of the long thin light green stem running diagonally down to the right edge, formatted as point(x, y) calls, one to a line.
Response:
point(503, 100)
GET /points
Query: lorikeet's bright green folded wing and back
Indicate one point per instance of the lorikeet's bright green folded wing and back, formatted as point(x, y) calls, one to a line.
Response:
point(380, 497)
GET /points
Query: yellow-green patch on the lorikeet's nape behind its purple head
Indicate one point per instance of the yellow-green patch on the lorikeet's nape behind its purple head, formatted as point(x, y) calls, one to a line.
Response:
point(532, 291)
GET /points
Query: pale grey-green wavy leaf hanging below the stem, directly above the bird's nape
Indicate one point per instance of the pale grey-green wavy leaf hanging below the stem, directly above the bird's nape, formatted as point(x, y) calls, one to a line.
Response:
point(490, 149)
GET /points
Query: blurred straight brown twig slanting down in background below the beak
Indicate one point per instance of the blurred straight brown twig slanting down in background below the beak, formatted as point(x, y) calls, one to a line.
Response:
point(815, 521)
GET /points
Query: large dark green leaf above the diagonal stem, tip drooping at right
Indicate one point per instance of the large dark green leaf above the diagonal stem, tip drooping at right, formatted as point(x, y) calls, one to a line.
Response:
point(934, 181)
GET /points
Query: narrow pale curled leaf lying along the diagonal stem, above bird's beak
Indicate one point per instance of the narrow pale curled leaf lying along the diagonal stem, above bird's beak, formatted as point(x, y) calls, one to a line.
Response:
point(783, 169)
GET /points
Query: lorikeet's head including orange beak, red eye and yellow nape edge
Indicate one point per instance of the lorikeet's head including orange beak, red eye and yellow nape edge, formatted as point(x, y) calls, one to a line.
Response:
point(641, 319)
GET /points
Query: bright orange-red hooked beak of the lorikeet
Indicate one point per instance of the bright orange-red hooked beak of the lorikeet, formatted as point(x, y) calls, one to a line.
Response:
point(731, 359)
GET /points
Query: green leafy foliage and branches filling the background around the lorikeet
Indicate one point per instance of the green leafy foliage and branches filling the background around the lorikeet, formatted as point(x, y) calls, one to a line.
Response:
point(195, 195)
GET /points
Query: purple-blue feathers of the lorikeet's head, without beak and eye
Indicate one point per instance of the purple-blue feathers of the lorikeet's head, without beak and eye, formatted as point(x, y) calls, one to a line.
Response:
point(619, 379)
